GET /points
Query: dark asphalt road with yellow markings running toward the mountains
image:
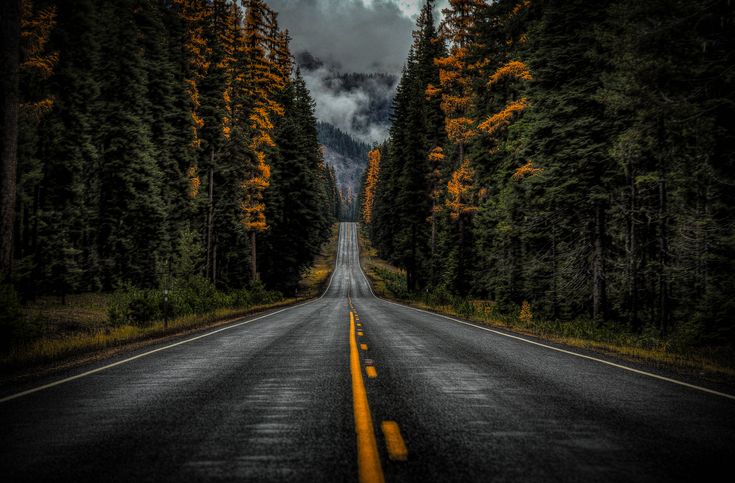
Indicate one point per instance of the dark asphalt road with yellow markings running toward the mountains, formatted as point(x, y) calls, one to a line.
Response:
point(351, 387)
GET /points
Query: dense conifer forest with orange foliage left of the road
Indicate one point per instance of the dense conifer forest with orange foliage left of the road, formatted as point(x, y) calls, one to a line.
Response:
point(157, 138)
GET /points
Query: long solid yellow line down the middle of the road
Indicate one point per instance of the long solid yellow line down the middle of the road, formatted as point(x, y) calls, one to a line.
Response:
point(368, 459)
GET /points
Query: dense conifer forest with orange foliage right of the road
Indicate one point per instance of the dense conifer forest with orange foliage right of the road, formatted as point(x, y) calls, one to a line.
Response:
point(574, 155)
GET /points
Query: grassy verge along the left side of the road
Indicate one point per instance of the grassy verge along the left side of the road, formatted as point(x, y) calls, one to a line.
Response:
point(81, 329)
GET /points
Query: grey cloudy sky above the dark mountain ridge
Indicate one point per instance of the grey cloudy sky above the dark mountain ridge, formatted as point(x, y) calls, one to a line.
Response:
point(355, 35)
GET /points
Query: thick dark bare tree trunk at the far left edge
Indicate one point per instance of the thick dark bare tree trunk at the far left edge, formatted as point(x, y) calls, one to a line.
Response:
point(9, 93)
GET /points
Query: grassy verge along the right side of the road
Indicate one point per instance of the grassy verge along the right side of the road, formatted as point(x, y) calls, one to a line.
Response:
point(390, 282)
